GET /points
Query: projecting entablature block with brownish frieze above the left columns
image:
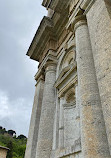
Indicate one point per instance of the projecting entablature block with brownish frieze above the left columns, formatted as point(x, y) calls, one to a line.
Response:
point(47, 36)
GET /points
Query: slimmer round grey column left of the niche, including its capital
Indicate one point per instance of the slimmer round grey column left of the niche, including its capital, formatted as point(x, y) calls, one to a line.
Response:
point(45, 137)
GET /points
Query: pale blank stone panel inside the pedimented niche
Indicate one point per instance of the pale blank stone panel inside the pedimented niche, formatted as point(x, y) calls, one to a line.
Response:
point(71, 125)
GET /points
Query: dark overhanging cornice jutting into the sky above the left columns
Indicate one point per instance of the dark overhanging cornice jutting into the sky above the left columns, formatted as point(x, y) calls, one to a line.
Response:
point(44, 32)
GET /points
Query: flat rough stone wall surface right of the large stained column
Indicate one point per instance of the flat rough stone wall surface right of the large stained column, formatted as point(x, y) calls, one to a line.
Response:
point(99, 23)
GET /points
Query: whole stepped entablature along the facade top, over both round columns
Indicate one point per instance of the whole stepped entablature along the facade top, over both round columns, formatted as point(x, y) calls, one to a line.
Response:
point(52, 28)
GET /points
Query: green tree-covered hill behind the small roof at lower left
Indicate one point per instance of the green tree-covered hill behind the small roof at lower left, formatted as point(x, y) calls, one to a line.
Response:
point(17, 145)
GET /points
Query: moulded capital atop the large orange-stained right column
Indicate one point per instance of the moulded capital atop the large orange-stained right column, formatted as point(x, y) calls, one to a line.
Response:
point(78, 21)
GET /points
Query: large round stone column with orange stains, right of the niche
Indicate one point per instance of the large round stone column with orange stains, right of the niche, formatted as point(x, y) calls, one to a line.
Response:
point(93, 134)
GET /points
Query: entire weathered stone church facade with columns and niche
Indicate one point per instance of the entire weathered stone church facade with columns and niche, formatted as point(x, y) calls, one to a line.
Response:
point(71, 115)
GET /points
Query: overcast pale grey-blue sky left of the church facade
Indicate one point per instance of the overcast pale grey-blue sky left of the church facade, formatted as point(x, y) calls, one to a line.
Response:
point(19, 20)
